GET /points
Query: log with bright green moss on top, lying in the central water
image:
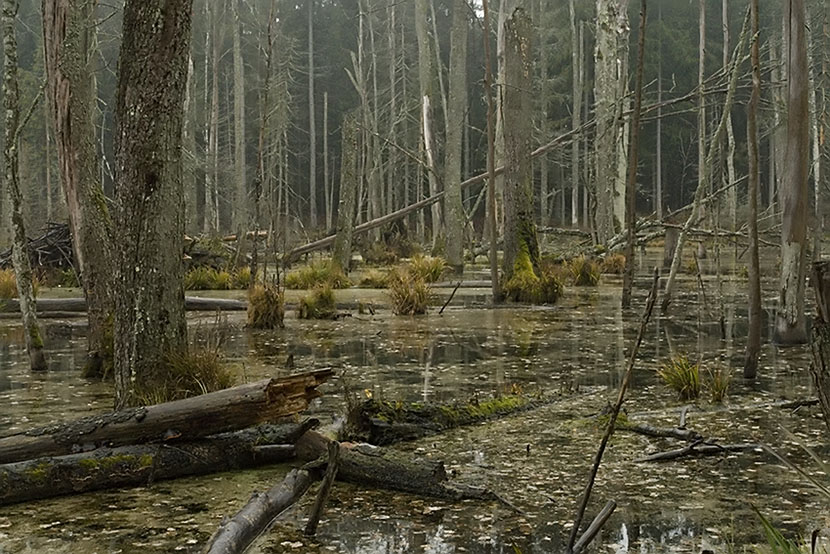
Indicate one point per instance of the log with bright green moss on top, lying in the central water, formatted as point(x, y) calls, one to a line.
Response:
point(381, 422)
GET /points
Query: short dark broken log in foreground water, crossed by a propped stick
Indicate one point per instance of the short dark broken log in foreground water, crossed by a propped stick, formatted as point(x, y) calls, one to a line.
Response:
point(375, 467)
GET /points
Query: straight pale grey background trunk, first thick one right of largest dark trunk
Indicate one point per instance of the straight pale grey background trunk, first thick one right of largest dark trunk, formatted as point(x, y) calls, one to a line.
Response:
point(240, 208)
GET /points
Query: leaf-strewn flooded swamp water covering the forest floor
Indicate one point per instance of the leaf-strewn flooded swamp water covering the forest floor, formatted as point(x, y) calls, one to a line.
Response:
point(538, 461)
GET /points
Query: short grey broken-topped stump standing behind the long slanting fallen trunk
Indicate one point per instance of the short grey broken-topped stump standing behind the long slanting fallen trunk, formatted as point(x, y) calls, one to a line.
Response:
point(349, 150)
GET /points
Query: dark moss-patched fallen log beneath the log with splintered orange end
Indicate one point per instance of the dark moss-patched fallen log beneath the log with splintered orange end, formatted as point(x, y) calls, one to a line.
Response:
point(136, 465)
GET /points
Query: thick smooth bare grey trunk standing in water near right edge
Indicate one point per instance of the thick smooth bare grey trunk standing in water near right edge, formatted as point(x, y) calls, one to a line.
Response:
point(790, 323)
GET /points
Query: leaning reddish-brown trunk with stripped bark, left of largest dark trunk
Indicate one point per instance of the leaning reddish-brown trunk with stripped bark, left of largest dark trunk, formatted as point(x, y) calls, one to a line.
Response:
point(71, 90)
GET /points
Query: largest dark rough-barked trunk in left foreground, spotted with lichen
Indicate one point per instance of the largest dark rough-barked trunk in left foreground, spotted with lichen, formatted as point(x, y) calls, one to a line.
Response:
point(149, 311)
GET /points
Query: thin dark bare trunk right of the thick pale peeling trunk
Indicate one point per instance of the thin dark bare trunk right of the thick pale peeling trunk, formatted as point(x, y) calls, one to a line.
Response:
point(631, 185)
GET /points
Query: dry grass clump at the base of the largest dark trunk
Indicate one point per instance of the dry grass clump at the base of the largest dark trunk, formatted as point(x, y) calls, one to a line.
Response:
point(186, 374)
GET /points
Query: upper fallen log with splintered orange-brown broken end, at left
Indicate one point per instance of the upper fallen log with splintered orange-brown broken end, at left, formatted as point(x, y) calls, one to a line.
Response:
point(217, 412)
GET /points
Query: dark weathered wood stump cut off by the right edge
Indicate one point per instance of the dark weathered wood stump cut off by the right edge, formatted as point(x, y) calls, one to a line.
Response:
point(820, 340)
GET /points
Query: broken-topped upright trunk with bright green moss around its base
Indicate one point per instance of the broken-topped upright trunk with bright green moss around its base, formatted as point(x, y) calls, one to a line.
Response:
point(520, 244)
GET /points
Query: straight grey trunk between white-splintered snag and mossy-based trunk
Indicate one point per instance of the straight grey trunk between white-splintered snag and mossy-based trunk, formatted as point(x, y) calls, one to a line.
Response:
point(453, 208)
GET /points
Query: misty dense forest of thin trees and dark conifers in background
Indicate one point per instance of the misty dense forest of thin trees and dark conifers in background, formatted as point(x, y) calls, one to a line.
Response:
point(363, 57)
